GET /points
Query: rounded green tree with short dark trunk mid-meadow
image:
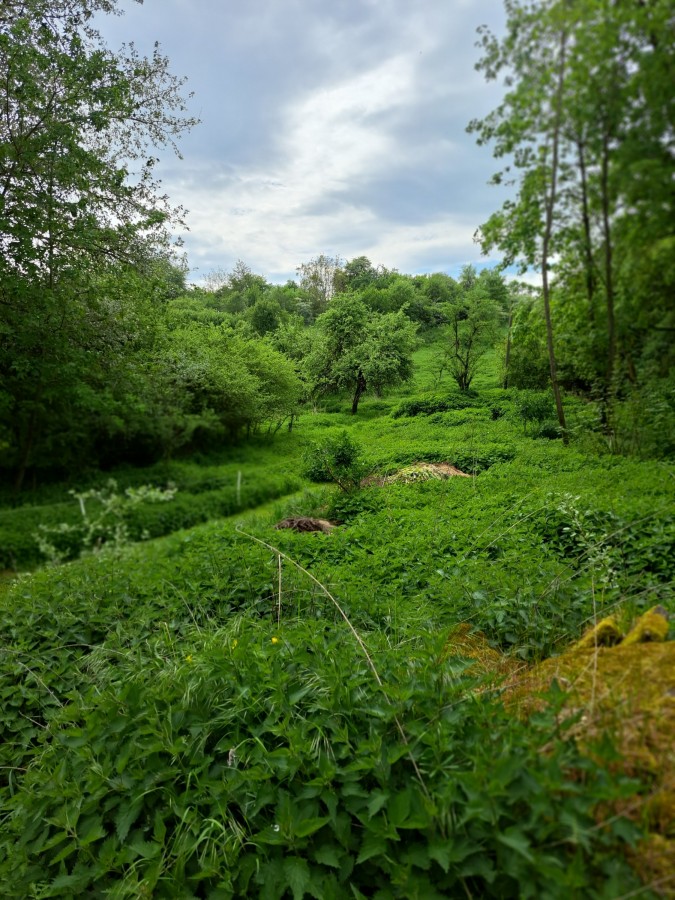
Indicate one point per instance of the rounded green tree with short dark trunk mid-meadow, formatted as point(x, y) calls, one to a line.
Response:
point(358, 349)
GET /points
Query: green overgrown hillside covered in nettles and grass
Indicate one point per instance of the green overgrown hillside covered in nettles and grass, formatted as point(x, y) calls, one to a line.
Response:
point(225, 709)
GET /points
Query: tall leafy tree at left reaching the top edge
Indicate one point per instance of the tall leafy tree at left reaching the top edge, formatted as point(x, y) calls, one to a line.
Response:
point(77, 196)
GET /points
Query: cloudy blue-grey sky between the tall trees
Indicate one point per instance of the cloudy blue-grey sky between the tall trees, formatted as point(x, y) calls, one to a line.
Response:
point(326, 127)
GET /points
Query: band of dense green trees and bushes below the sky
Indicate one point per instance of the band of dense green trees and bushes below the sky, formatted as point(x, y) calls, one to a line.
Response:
point(137, 365)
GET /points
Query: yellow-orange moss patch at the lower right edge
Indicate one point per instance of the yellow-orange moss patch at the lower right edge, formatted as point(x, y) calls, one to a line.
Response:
point(628, 692)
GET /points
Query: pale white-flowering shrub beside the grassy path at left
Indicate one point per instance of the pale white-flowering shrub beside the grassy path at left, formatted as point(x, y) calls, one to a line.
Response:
point(103, 526)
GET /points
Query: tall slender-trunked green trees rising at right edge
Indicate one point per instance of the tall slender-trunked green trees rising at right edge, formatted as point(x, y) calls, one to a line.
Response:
point(586, 124)
